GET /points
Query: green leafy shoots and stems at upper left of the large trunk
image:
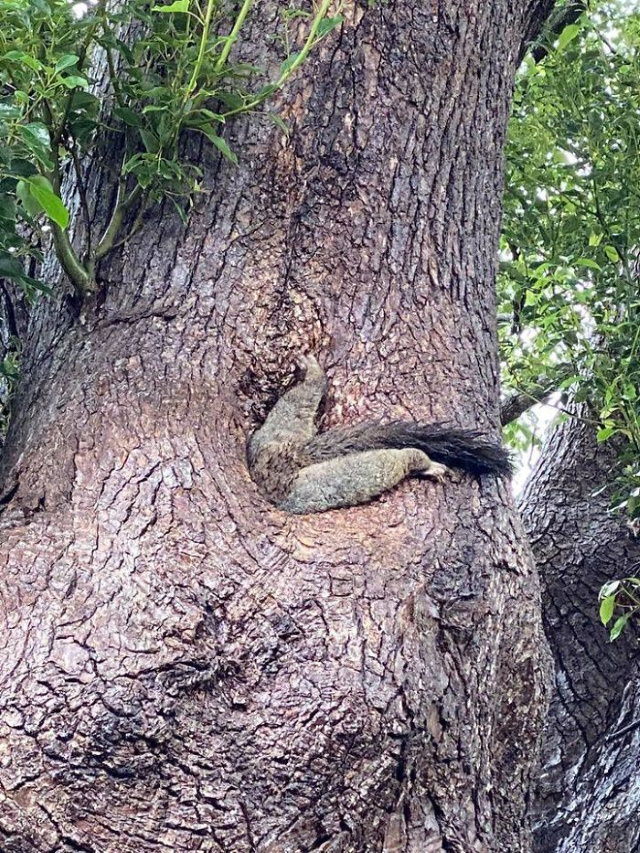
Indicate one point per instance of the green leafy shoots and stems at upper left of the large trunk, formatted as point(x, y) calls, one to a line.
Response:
point(135, 73)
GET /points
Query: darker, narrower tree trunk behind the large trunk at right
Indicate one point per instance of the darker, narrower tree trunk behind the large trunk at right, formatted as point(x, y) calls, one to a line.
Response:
point(589, 792)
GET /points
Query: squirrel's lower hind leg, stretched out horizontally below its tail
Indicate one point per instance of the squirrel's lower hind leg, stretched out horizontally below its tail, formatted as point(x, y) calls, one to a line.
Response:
point(355, 479)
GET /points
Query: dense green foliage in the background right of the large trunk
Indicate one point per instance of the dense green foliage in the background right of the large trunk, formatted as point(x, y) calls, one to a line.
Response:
point(570, 307)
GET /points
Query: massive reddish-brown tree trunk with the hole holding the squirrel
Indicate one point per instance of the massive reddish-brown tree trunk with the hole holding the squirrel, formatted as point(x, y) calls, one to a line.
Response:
point(188, 668)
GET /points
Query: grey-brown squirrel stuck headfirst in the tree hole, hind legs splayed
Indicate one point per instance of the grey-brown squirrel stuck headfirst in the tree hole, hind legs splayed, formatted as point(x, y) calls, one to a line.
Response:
point(301, 471)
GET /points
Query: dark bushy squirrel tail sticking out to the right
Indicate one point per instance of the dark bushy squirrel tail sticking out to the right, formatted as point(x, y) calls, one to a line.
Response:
point(459, 448)
